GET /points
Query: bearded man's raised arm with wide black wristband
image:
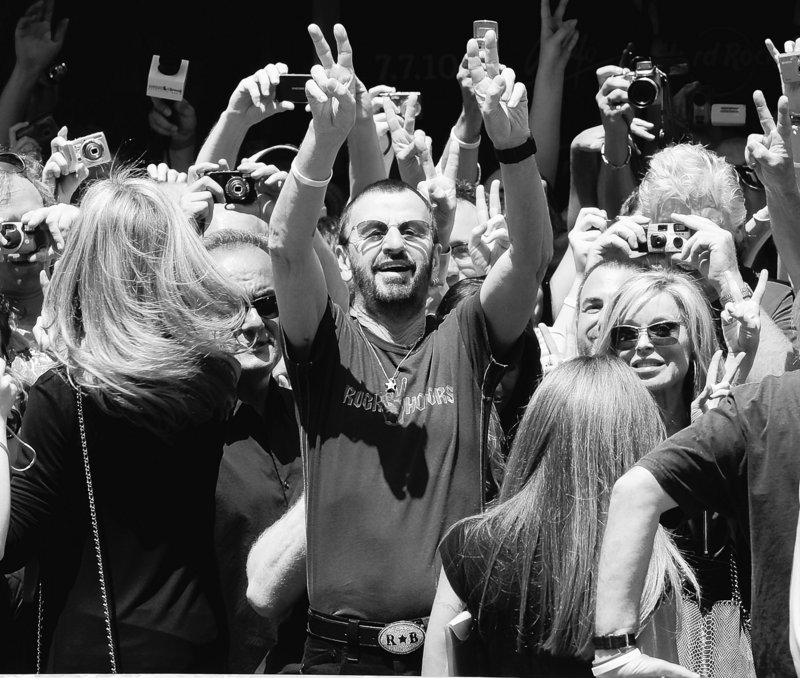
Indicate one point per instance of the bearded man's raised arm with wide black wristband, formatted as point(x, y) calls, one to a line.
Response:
point(508, 295)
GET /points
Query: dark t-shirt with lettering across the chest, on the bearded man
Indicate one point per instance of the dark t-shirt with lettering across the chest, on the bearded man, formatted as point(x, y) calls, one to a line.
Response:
point(381, 495)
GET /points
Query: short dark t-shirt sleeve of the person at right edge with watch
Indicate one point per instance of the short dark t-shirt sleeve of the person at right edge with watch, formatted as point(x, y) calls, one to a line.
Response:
point(704, 466)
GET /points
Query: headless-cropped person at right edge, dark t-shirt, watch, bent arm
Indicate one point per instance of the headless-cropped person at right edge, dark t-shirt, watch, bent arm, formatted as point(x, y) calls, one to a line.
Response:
point(740, 460)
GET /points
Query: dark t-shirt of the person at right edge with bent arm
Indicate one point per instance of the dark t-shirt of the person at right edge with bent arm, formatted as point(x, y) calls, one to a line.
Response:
point(741, 459)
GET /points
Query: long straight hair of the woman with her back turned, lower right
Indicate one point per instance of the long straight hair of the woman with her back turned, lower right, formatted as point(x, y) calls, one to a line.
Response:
point(588, 422)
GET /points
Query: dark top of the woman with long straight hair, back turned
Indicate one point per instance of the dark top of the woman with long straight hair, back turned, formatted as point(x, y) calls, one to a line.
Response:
point(499, 620)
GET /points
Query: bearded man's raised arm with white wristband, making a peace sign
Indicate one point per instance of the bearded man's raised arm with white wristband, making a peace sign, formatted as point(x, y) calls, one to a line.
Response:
point(299, 279)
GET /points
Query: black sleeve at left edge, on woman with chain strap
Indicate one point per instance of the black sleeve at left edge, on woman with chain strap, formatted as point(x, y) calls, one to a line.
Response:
point(40, 495)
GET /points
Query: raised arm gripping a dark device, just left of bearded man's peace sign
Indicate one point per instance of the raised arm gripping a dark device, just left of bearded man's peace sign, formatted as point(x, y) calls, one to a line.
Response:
point(252, 101)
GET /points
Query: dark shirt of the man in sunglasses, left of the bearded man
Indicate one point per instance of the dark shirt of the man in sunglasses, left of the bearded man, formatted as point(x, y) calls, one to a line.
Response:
point(260, 476)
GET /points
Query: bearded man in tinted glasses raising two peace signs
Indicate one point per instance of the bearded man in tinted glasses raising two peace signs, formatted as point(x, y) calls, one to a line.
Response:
point(390, 404)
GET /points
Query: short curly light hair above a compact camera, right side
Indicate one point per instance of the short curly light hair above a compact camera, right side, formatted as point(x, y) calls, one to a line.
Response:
point(695, 177)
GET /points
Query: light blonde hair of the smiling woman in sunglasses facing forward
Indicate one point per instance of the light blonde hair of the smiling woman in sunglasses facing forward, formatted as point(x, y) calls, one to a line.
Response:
point(695, 315)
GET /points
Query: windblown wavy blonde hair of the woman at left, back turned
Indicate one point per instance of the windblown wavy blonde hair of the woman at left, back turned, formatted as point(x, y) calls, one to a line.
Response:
point(139, 315)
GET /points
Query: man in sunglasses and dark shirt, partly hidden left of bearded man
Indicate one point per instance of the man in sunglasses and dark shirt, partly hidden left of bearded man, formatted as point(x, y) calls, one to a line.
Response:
point(261, 472)
